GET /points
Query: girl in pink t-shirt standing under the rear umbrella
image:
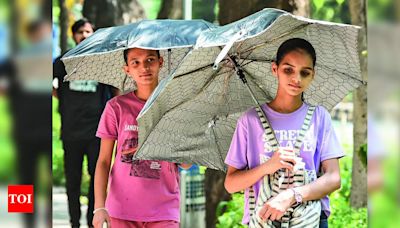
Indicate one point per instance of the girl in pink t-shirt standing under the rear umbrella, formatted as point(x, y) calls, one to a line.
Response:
point(141, 193)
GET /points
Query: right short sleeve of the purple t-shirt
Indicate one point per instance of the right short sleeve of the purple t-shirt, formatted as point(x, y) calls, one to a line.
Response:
point(328, 144)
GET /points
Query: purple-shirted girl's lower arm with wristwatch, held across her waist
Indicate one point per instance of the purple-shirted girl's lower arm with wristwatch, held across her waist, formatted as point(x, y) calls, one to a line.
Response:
point(324, 185)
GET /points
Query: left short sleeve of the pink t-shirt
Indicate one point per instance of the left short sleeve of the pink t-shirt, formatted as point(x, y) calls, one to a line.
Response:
point(108, 125)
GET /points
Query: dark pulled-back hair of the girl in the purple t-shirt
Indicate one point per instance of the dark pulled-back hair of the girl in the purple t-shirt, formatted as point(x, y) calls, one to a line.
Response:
point(295, 44)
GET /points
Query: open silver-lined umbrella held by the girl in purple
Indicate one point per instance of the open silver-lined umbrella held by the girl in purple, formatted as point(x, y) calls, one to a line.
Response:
point(191, 117)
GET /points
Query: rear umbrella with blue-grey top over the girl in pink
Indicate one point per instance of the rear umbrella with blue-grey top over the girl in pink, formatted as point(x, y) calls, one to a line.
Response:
point(100, 56)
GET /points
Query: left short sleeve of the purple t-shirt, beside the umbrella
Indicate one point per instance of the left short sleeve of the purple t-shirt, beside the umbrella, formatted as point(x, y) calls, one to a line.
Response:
point(236, 156)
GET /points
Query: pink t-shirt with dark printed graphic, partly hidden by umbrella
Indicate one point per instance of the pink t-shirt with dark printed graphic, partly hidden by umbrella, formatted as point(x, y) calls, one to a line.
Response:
point(140, 190)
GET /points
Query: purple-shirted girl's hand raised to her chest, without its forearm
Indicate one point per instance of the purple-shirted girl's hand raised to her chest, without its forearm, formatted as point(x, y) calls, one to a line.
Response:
point(282, 158)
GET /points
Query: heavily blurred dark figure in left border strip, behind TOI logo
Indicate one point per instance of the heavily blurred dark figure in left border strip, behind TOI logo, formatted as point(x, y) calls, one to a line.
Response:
point(28, 88)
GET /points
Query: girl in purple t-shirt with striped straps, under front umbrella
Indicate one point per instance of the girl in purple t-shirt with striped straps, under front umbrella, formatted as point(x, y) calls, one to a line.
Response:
point(319, 151)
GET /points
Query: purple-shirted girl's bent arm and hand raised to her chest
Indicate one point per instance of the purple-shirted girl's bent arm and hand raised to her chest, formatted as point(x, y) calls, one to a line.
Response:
point(238, 180)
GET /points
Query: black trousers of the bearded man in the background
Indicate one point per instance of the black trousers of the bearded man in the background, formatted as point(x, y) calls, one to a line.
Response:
point(74, 152)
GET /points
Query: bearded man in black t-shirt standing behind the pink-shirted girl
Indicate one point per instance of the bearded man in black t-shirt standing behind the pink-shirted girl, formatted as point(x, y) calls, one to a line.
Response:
point(80, 105)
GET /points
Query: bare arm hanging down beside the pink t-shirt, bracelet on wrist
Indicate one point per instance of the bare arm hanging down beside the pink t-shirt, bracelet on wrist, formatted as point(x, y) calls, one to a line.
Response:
point(101, 180)
